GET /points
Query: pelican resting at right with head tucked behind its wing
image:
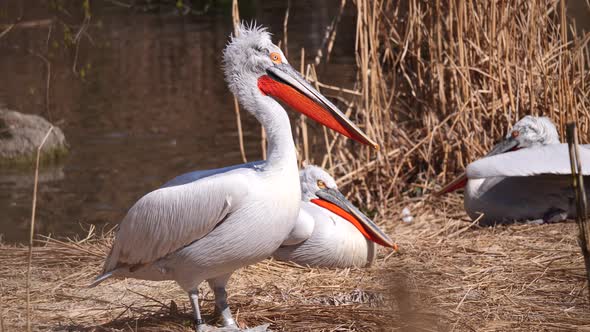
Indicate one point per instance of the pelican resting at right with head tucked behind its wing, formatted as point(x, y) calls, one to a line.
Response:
point(527, 176)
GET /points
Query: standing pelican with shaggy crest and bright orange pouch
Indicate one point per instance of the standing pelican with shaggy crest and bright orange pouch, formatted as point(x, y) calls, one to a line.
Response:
point(206, 224)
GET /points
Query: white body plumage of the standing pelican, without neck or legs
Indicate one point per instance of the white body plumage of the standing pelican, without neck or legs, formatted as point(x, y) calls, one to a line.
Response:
point(247, 193)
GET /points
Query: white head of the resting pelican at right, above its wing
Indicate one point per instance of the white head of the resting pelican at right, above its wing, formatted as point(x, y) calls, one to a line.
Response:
point(530, 131)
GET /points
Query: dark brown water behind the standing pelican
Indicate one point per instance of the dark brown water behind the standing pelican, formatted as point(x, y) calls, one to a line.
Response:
point(152, 104)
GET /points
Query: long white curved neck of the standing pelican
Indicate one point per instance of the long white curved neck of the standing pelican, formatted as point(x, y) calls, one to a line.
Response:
point(273, 117)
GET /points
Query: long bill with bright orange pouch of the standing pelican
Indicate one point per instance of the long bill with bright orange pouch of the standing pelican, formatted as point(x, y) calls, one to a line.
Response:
point(284, 83)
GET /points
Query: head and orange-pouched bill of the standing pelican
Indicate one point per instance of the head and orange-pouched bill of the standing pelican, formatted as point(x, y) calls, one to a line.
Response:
point(255, 67)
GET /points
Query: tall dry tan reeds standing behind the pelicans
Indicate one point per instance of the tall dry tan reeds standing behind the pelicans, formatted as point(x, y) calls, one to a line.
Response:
point(440, 81)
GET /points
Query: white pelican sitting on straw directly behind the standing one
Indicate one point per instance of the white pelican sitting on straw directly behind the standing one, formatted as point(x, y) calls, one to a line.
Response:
point(330, 231)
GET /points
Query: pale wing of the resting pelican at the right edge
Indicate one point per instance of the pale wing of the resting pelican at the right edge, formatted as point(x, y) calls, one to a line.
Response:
point(547, 159)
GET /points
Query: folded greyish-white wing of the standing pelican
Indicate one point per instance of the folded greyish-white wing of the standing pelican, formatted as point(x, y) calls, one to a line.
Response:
point(176, 215)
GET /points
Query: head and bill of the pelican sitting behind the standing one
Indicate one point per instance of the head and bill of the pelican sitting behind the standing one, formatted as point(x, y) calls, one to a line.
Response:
point(319, 188)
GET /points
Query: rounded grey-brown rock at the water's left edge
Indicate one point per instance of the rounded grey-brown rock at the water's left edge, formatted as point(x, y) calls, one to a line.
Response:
point(21, 134)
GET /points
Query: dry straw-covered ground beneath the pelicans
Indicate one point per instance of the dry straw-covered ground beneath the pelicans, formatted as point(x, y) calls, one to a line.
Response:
point(448, 275)
